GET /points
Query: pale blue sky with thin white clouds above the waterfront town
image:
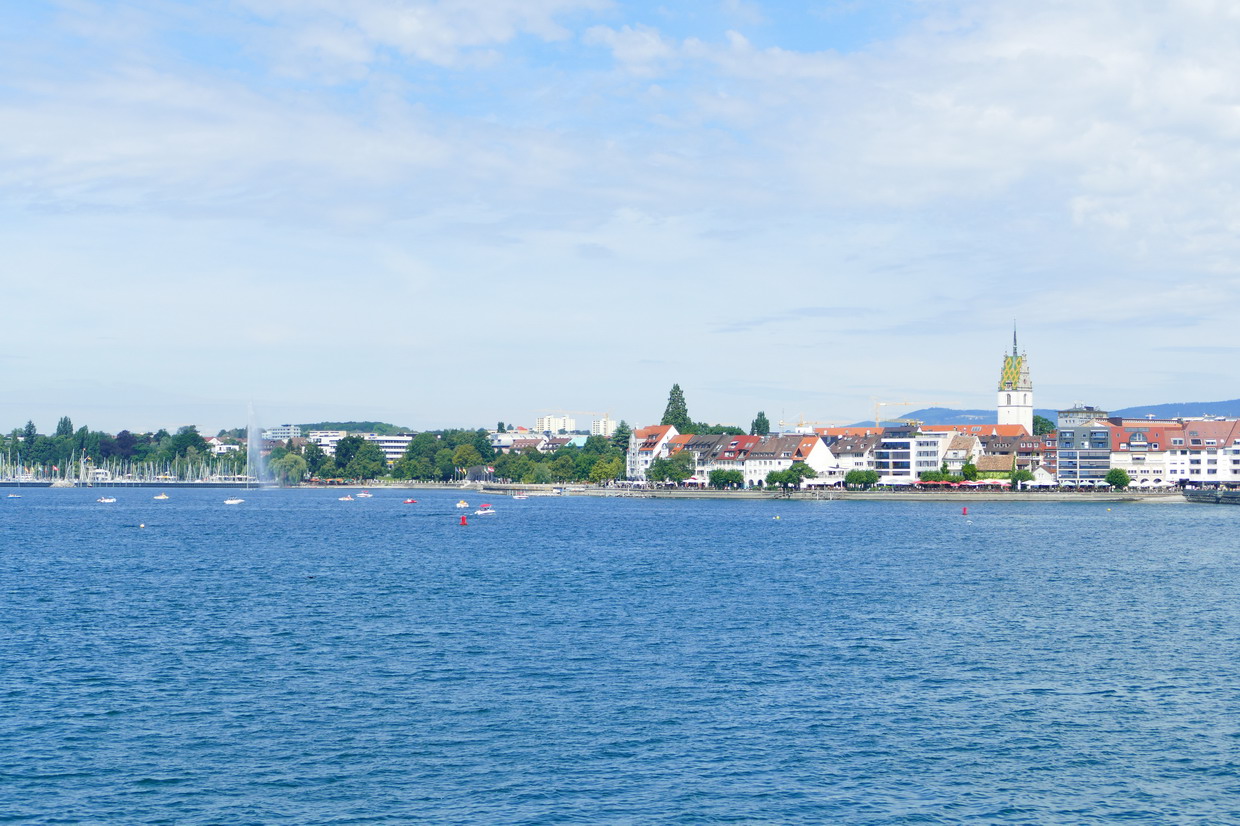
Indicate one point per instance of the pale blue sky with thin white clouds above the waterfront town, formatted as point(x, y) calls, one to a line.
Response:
point(457, 213)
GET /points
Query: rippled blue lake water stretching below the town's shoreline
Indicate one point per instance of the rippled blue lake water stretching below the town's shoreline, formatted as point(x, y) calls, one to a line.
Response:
point(302, 660)
